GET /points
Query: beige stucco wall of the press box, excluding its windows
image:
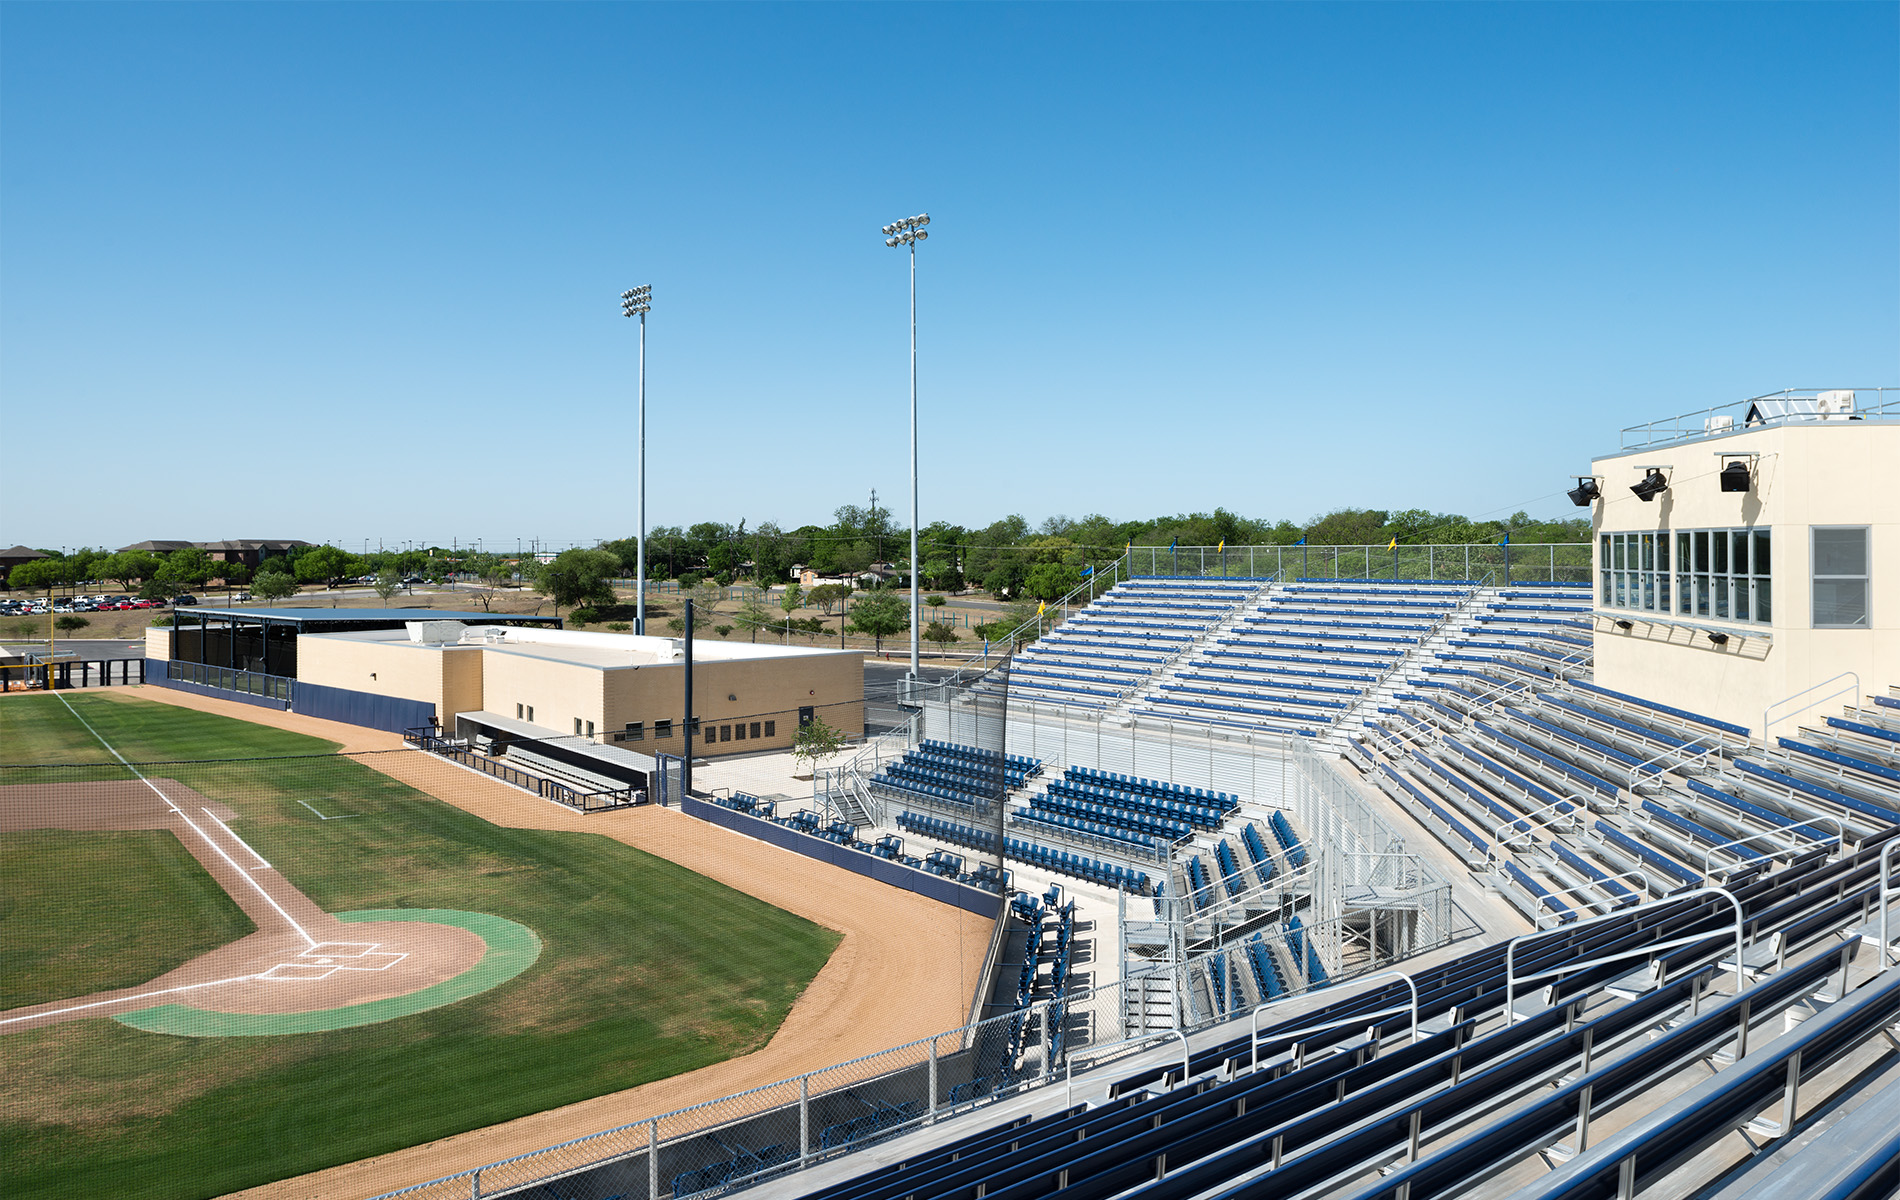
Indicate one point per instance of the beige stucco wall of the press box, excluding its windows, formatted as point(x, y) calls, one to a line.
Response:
point(1825, 474)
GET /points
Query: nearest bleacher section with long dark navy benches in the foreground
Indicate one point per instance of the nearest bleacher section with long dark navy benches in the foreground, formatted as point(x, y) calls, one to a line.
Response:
point(1350, 1100)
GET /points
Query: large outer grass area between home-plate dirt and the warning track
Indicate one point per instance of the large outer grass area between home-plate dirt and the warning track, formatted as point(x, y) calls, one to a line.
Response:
point(647, 971)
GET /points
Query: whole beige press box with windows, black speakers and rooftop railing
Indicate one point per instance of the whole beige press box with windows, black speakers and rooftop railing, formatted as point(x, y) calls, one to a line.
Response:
point(1749, 557)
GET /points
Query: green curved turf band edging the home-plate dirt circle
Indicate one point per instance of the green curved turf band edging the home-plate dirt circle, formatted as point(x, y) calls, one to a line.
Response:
point(512, 950)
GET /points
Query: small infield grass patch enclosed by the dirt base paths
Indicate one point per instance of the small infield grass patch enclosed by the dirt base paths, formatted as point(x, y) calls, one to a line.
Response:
point(86, 912)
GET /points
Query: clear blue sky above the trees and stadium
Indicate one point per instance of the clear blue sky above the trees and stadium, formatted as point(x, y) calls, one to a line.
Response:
point(351, 271)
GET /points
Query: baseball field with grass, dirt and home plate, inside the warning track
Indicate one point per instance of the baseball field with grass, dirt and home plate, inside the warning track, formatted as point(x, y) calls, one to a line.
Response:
point(254, 958)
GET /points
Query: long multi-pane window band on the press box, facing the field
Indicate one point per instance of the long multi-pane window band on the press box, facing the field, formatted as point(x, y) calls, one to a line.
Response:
point(1720, 574)
